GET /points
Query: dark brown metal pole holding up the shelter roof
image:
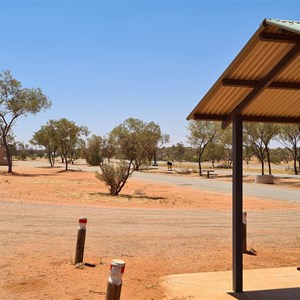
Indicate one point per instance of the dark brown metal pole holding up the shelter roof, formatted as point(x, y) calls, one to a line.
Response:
point(237, 197)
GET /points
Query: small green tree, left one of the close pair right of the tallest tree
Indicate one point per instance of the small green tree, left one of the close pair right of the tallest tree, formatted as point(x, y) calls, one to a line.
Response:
point(47, 138)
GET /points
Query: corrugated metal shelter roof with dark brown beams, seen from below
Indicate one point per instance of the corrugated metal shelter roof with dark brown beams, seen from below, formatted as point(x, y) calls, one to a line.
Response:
point(263, 81)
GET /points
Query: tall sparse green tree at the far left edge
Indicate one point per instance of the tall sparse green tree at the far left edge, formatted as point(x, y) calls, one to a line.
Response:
point(15, 102)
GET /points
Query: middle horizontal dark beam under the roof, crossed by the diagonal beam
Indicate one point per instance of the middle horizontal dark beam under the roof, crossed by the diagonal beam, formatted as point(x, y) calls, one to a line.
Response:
point(254, 83)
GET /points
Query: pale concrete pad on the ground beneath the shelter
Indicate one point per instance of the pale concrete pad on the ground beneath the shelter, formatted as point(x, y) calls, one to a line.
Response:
point(262, 284)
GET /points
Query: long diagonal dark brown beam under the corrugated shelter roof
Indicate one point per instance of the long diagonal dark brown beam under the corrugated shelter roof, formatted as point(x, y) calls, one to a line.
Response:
point(262, 85)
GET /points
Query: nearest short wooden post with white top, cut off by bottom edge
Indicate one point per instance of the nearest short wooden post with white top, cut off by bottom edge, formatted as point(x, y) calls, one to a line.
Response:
point(114, 284)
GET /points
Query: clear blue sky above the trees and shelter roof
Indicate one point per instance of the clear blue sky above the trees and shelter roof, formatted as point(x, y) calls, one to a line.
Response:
point(101, 62)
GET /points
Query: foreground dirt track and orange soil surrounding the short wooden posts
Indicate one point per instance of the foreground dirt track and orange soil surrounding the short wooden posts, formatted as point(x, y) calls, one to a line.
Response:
point(39, 244)
